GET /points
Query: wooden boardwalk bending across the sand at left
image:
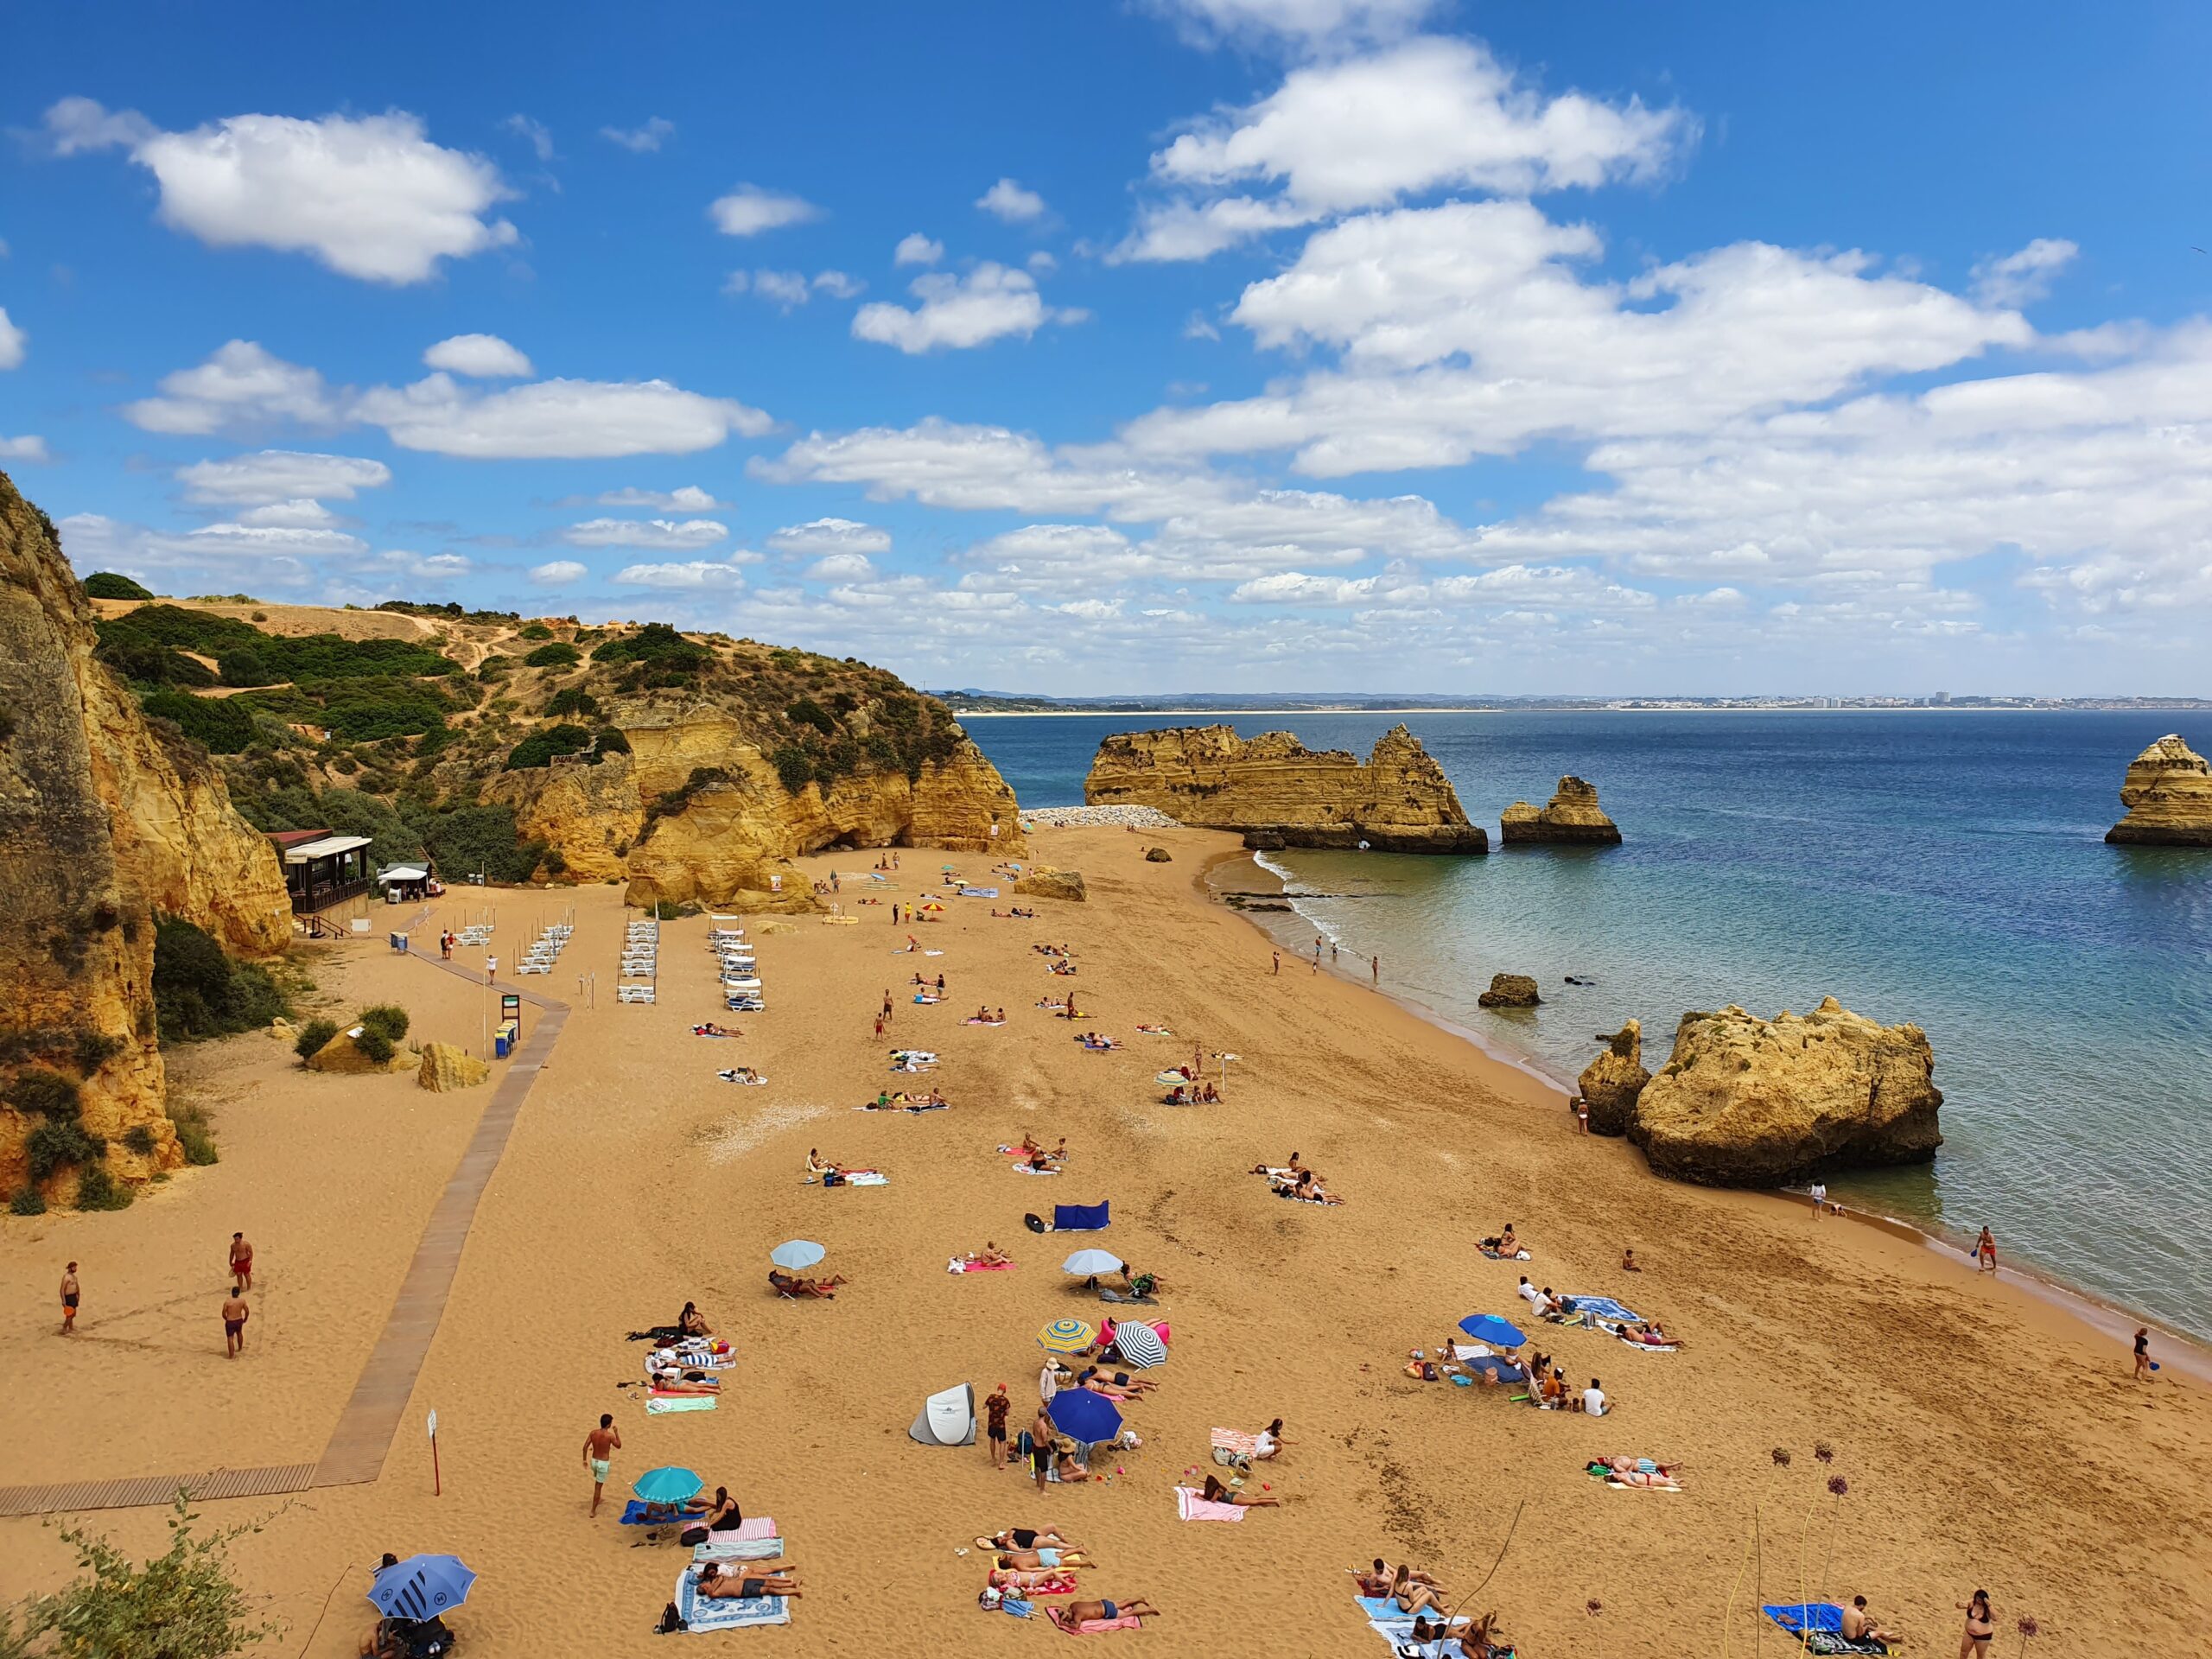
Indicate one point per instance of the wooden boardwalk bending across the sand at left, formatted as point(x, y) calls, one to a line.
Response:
point(364, 1434)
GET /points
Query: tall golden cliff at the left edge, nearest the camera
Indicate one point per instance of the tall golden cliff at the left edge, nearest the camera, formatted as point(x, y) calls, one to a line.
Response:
point(98, 828)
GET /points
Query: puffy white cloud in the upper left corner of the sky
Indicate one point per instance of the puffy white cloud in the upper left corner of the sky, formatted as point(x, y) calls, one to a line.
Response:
point(368, 196)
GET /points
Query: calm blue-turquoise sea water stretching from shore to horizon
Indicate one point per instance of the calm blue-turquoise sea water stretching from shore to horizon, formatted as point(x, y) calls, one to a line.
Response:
point(1943, 868)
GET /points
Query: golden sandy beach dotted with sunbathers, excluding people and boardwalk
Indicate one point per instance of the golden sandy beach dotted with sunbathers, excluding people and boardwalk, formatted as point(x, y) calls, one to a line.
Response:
point(1987, 1437)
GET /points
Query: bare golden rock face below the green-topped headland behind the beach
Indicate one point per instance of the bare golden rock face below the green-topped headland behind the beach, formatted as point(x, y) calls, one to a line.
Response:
point(698, 815)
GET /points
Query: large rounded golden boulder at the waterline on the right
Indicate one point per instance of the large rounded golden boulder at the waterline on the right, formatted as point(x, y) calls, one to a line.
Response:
point(1764, 1103)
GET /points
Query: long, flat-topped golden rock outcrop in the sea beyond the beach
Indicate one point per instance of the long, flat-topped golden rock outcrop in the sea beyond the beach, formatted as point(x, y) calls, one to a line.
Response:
point(1282, 795)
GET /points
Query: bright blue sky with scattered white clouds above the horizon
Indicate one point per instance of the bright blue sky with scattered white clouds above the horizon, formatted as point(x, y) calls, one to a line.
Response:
point(1173, 346)
